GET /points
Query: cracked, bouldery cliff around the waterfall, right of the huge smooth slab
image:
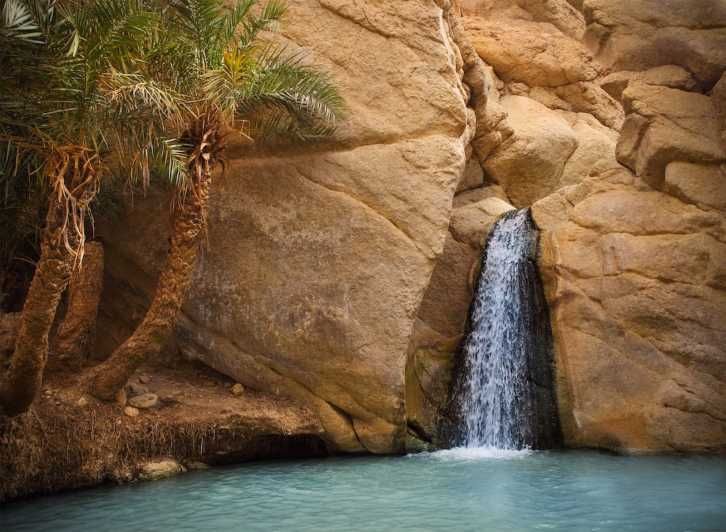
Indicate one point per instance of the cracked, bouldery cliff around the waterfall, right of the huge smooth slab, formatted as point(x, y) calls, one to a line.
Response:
point(605, 118)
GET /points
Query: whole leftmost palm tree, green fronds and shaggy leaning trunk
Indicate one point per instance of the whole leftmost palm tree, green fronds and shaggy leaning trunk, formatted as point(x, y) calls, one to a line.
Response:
point(79, 101)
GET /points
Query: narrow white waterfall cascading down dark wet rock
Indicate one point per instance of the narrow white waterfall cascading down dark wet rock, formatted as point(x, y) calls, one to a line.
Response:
point(502, 393)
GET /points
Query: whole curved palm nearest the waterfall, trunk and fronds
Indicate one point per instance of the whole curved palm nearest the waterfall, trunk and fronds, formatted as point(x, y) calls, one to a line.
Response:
point(235, 84)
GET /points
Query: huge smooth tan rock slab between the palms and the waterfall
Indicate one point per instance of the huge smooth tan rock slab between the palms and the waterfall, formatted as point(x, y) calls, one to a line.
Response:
point(318, 257)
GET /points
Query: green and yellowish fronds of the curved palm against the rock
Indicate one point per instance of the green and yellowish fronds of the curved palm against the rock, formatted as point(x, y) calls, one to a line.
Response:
point(216, 56)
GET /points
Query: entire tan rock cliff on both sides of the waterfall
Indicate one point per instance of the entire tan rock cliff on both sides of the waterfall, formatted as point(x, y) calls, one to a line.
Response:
point(341, 274)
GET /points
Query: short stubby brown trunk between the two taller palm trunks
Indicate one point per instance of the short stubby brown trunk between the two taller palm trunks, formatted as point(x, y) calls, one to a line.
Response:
point(77, 332)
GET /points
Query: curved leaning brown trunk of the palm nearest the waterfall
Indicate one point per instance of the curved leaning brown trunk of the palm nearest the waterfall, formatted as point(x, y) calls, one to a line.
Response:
point(188, 232)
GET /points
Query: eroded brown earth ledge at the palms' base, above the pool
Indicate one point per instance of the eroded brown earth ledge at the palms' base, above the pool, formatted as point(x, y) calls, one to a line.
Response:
point(69, 440)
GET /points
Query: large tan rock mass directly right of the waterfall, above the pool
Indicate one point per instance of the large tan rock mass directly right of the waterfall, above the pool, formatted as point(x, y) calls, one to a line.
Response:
point(634, 278)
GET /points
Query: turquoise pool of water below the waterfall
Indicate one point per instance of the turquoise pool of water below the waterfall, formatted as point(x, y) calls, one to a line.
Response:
point(467, 489)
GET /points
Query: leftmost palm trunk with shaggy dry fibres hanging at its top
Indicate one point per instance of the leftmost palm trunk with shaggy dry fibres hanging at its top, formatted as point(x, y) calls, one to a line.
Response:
point(75, 181)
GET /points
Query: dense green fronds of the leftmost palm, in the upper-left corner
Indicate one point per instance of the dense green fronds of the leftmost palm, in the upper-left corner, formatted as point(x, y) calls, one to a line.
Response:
point(81, 78)
